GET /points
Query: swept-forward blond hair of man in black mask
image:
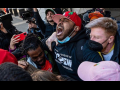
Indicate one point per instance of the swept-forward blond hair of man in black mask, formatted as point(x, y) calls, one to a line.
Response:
point(106, 23)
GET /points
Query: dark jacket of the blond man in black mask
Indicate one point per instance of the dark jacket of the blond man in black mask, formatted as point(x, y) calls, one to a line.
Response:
point(93, 56)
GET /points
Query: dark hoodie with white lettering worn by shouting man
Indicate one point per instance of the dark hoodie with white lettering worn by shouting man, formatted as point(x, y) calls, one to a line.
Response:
point(68, 56)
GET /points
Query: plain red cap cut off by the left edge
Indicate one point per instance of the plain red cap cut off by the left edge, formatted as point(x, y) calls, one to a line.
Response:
point(6, 56)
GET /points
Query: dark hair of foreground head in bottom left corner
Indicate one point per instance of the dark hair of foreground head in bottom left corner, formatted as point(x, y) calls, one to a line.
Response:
point(12, 72)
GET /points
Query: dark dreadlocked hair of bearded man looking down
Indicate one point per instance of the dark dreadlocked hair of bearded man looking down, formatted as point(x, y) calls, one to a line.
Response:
point(31, 42)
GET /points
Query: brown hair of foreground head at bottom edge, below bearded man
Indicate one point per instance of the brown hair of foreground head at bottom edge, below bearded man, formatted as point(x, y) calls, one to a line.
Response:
point(43, 75)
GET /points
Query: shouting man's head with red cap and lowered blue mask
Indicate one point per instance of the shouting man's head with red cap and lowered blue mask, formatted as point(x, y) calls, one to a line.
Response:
point(64, 34)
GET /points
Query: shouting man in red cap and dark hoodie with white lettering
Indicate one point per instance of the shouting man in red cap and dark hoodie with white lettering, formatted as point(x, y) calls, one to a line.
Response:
point(71, 37)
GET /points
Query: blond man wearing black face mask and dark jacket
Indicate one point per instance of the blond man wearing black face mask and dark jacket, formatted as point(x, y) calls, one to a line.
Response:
point(104, 43)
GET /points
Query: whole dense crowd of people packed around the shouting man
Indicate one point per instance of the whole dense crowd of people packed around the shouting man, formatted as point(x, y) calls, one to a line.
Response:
point(62, 48)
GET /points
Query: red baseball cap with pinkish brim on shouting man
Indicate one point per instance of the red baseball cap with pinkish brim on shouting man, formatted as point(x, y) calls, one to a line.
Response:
point(69, 15)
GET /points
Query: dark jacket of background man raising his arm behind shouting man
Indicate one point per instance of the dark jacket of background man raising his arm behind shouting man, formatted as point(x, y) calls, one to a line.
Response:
point(46, 28)
